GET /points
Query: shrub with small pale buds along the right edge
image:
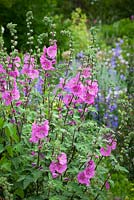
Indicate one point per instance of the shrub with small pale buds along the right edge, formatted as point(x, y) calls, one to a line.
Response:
point(125, 105)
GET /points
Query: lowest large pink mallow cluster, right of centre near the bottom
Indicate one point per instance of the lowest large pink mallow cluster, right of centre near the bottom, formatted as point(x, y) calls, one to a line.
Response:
point(84, 176)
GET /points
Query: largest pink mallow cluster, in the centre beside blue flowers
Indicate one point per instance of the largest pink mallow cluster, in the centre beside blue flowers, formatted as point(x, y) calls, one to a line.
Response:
point(79, 92)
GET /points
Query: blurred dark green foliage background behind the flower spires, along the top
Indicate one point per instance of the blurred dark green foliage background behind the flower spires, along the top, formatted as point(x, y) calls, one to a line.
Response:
point(97, 11)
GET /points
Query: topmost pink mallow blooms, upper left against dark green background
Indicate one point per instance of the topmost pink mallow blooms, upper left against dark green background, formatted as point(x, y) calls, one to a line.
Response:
point(47, 59)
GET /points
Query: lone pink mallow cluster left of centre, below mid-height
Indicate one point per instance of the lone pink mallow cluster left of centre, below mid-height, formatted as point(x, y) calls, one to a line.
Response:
point(39, 131)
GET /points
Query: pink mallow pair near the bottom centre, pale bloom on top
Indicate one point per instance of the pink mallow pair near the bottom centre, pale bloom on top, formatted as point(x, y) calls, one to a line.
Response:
point(59, 166)
